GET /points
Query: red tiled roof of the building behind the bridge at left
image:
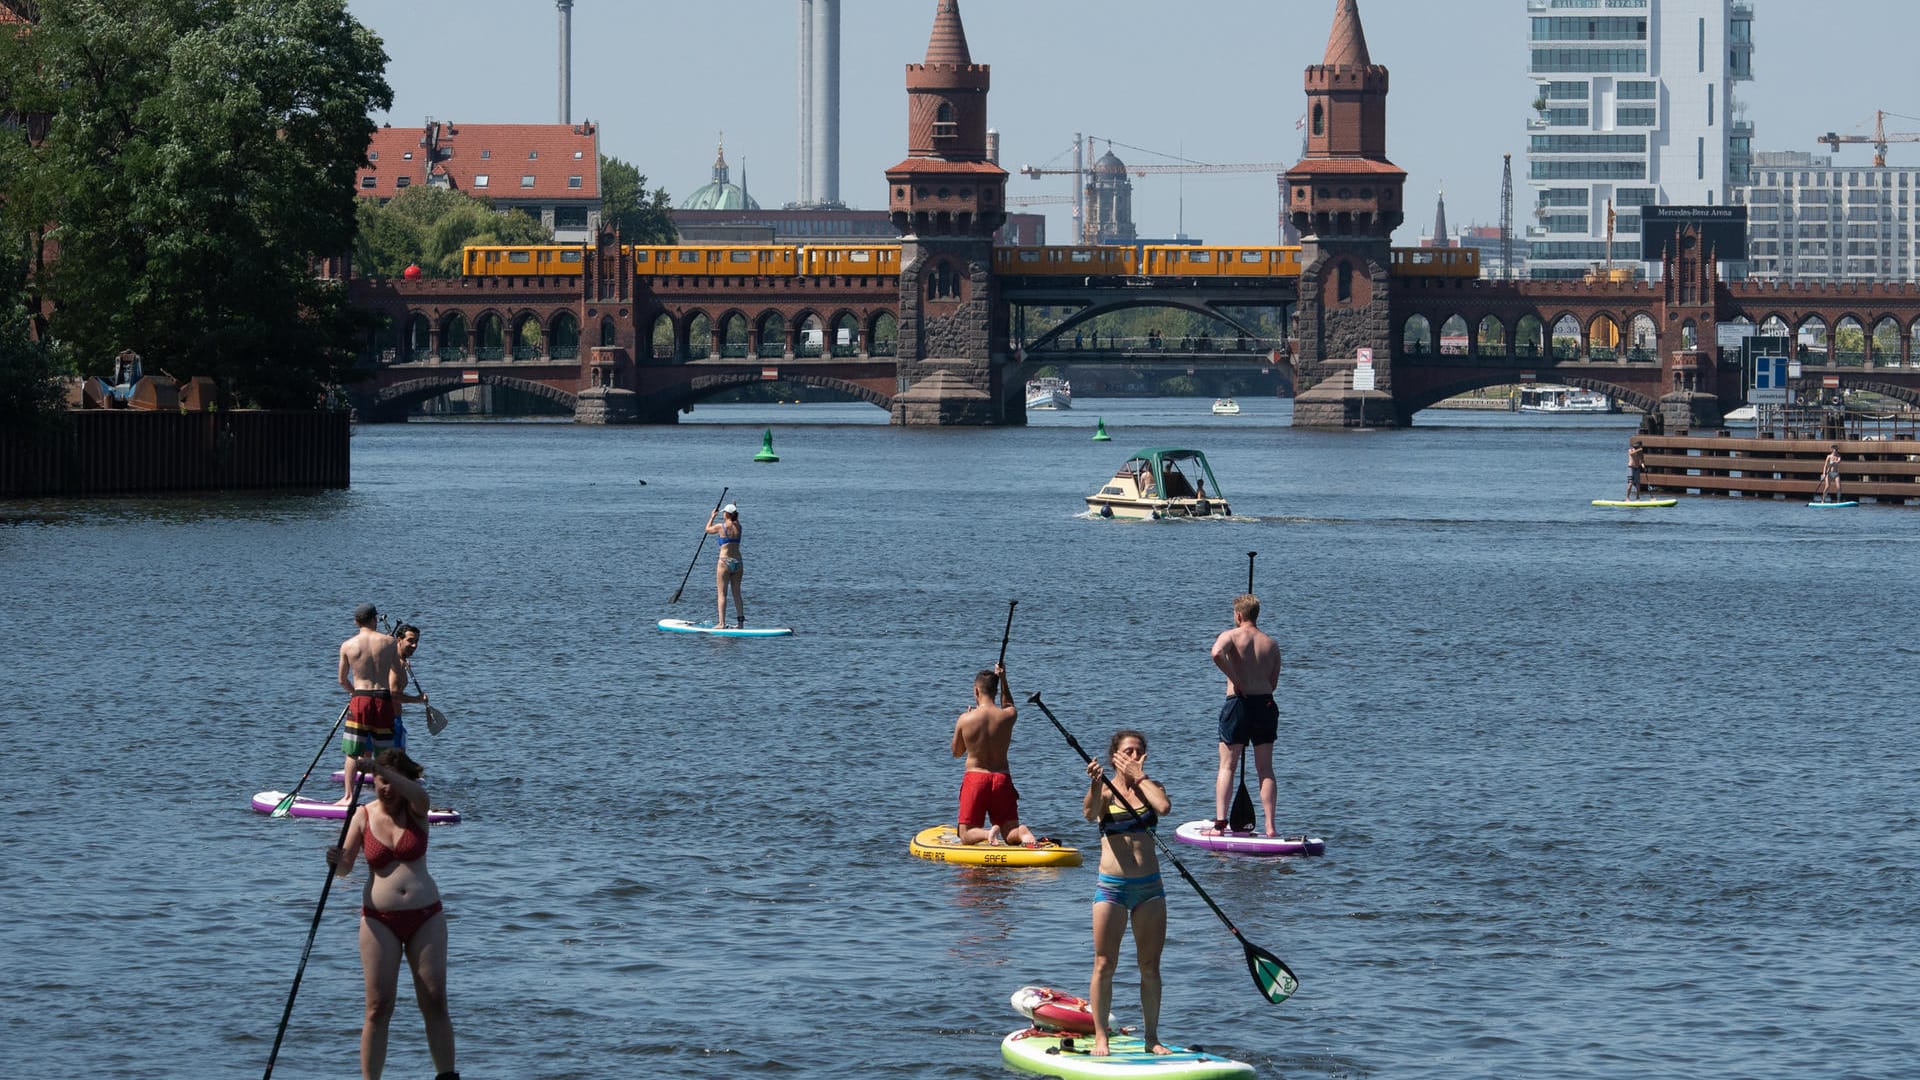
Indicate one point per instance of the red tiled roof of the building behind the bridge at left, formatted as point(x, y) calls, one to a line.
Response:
point(500, 153)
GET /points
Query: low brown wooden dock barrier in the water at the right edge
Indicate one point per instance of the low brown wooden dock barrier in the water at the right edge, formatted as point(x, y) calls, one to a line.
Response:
point(1881, 470)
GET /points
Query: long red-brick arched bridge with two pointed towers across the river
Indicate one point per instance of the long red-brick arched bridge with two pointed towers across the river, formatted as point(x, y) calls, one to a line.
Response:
point(930, 333)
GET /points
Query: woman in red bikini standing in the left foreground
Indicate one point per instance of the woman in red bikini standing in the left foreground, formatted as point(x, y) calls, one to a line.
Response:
point(400, 910)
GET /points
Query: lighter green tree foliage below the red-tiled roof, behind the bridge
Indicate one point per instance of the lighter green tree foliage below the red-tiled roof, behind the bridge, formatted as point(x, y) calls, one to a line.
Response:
point(429, 226)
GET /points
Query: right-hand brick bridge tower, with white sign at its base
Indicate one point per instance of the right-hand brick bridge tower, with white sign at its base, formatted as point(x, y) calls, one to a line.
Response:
point(1345, 203)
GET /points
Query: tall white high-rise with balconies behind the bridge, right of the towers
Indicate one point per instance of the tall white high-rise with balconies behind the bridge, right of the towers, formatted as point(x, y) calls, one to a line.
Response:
point(1633, 105)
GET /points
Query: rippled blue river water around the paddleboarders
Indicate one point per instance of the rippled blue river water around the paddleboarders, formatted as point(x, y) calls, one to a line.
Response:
point(1604, 793)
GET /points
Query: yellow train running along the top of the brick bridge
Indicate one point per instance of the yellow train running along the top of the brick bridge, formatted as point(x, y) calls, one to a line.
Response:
point(884, 260)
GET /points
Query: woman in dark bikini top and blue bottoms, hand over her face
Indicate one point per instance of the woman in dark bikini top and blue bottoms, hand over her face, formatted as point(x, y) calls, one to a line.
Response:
point(1130, 883)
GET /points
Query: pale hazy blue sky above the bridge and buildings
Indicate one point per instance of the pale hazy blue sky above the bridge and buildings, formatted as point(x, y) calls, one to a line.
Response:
point(1207, 80)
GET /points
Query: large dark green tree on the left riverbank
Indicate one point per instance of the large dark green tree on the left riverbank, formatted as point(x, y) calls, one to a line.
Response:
point(199, 160)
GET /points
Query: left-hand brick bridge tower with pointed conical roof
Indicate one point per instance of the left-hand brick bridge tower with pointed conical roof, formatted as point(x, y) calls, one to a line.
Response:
point(948, 199)
